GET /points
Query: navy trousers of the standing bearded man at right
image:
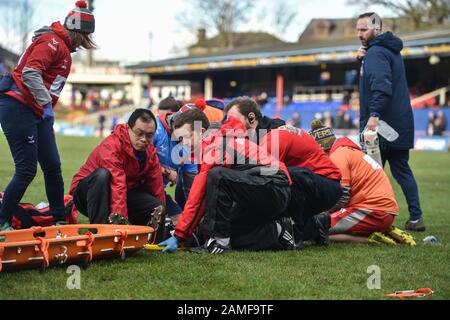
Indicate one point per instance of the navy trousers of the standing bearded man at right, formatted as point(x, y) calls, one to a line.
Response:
point(398, 162)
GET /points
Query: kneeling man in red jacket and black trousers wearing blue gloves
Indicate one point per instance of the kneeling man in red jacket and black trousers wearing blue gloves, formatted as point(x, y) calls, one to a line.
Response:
point(240, 194)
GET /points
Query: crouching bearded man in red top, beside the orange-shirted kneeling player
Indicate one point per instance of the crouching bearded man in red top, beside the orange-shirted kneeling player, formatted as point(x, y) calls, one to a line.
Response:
point(315, 178)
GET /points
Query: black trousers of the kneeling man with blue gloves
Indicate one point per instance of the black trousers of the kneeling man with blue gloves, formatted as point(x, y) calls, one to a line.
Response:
point(244, 207)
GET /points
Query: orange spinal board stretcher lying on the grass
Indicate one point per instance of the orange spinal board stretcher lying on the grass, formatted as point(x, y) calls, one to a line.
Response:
point(41, 247)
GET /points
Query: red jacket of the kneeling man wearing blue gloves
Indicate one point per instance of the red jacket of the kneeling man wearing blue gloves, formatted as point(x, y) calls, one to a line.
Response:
point(212, 155)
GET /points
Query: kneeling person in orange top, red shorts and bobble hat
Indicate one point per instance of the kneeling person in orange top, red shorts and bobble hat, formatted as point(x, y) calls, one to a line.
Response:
point(367, 209)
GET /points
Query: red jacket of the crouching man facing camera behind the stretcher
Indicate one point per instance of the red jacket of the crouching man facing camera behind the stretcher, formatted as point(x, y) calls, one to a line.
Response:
point(116, 154)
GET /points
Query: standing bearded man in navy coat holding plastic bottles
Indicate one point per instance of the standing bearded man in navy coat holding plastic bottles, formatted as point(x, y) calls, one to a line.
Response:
point(384, 95)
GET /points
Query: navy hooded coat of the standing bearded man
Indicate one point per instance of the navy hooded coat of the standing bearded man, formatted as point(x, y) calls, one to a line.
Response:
point(384, 90)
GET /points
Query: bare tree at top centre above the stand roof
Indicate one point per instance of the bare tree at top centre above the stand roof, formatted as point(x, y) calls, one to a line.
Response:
point(221, 16)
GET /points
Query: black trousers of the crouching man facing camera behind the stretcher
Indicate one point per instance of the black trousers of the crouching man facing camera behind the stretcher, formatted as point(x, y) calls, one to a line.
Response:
point(92, 199)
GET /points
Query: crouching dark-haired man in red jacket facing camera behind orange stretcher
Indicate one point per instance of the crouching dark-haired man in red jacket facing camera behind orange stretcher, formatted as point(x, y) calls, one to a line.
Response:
point(121, 181)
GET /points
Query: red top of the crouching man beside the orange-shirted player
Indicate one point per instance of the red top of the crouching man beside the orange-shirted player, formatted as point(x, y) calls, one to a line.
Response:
point(296, 148)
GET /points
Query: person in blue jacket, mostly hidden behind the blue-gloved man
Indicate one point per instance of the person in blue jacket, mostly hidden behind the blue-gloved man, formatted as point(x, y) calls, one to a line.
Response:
point(176, 170)
